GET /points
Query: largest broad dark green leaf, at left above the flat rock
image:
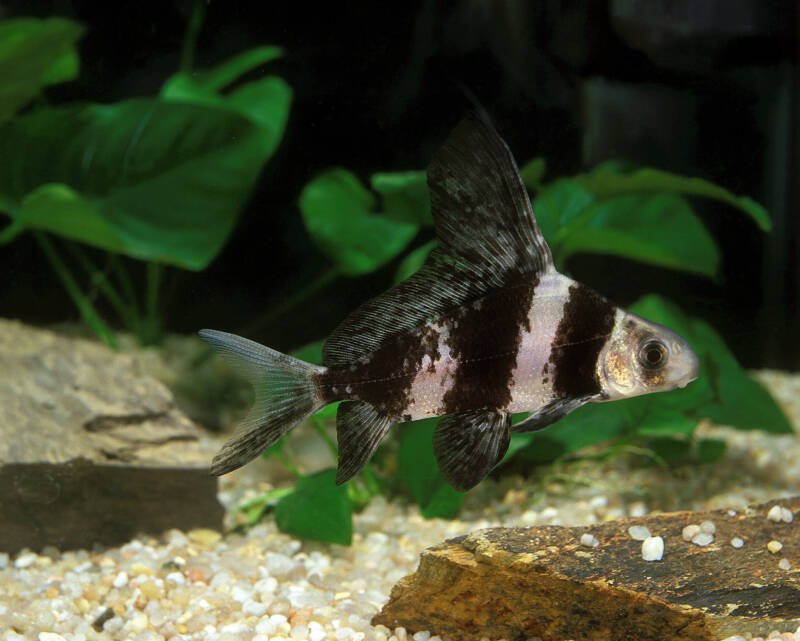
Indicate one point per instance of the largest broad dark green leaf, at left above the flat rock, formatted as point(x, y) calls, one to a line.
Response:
point(168, 179)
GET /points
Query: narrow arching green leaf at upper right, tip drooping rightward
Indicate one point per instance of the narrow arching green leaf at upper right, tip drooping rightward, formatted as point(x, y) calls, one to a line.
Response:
point(606, 182)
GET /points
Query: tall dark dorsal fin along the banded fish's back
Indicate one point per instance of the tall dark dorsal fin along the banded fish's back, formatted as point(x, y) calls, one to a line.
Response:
point(488, 238)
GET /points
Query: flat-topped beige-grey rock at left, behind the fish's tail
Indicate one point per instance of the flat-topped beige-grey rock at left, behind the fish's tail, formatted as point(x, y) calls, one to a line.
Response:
point(91, 451)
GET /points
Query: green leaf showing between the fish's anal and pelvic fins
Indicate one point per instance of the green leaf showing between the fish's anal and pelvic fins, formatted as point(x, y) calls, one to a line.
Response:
point(420, 475)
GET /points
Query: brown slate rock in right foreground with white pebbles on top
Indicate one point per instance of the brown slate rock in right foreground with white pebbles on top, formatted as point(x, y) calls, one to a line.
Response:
point(518, 583)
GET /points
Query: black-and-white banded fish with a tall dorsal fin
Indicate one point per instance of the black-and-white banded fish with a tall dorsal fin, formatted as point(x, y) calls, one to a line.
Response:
point(486, 328)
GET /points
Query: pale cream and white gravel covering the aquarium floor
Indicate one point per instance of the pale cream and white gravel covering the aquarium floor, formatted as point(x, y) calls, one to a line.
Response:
point(266, 585)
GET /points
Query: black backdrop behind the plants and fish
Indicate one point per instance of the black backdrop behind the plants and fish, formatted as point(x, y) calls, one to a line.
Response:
point(699, 88)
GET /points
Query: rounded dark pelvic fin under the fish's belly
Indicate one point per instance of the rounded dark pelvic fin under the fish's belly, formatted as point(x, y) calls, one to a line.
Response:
point(467, 445)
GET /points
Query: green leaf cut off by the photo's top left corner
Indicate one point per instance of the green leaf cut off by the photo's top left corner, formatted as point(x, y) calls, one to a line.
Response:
point(33, 54)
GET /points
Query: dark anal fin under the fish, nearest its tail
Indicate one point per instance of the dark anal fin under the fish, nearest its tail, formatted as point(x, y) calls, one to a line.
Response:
point(359, 430)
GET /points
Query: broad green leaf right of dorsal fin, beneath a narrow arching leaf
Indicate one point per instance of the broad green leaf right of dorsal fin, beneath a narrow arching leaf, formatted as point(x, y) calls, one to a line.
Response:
point(658, 229)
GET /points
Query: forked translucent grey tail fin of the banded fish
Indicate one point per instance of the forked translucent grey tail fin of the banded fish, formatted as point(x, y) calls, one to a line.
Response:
point(285, 394)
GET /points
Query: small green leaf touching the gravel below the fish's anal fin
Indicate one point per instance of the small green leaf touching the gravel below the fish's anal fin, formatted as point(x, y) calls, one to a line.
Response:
point(317, 509)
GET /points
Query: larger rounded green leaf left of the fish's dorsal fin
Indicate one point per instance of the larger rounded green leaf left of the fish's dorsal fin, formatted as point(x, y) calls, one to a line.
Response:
point(337, 212)
